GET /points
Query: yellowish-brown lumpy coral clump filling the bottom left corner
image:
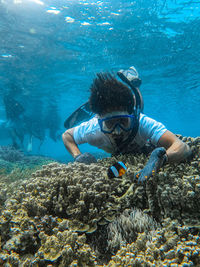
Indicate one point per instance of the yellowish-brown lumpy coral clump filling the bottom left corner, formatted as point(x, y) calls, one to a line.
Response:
point(48, 239)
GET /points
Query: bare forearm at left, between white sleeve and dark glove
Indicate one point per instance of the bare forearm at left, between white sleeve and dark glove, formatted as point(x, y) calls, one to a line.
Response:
point(69, 143)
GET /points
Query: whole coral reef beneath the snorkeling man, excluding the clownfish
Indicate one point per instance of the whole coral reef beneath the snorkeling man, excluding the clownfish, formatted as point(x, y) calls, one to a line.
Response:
point(73, 215)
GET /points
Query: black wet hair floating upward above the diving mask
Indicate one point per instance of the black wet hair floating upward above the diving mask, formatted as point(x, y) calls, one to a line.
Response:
point(109, 94)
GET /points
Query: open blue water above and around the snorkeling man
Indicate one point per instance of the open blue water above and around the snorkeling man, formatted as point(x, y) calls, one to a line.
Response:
point(51, 50)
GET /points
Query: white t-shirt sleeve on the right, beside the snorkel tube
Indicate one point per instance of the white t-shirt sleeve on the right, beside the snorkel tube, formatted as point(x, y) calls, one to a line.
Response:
point(151, 129)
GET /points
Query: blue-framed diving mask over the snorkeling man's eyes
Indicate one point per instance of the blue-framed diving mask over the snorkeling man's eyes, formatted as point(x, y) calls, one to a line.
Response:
point(125, 122)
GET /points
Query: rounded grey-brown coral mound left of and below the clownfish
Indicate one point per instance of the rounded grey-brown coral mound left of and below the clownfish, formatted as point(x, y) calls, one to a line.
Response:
point(70, 191)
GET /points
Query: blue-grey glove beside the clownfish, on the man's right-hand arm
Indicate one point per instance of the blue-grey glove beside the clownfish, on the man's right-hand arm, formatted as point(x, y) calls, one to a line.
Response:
point(157, 159)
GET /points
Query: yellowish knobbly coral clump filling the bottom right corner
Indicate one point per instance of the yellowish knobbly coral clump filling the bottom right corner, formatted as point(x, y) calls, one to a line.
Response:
point(173, 245)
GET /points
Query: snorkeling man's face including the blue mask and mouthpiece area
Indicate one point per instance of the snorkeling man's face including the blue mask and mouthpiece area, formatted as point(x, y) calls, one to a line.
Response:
point(116, 125)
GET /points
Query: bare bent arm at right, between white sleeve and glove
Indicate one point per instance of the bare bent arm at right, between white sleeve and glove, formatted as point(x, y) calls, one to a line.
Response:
point(176, 150)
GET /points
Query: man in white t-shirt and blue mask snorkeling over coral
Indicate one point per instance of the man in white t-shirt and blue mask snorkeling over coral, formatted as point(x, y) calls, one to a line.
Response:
point(118, 128)
